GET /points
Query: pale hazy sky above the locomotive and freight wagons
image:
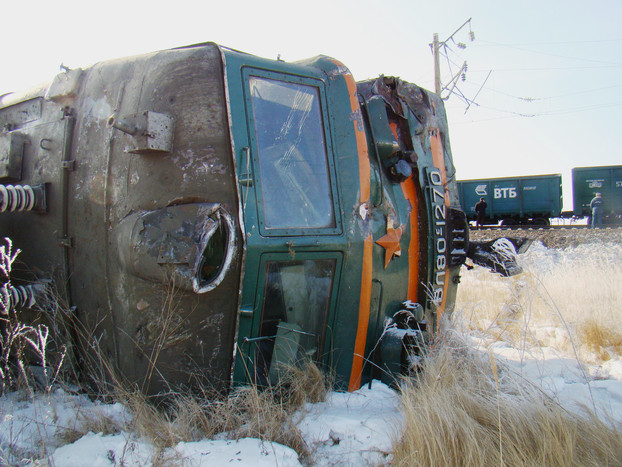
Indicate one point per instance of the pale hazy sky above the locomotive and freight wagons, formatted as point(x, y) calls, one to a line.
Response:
point(565, 56)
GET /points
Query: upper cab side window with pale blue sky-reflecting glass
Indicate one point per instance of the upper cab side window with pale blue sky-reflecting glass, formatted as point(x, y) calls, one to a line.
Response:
point(294, 171)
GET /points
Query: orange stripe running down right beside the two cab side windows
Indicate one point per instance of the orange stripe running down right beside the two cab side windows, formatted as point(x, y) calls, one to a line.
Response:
point(368, 243)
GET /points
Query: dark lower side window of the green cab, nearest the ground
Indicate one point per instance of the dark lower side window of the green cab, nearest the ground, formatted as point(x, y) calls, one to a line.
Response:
point(295, 309)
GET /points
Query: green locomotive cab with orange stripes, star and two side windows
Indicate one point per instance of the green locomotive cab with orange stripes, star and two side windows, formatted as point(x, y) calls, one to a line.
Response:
point(348, 199)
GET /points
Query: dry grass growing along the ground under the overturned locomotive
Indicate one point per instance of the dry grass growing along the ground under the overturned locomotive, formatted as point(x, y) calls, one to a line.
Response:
point(264, 413)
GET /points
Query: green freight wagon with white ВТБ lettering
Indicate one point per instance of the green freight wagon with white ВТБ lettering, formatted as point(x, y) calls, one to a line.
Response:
point(530, 200)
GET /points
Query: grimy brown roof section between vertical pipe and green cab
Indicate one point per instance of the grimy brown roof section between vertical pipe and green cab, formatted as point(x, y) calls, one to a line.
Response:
point(148, 311)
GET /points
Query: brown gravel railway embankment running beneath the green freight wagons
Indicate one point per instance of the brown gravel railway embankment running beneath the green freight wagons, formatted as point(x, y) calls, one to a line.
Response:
point(554, 238)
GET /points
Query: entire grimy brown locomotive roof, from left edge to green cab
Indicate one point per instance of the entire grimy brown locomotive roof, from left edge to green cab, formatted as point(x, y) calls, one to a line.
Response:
point(167, 319)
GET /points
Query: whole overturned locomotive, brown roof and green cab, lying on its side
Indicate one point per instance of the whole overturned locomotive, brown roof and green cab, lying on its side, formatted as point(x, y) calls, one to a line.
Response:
point(211, 216)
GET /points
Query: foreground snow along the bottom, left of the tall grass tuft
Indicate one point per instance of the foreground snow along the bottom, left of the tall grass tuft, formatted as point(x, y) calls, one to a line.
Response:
point(348, 429)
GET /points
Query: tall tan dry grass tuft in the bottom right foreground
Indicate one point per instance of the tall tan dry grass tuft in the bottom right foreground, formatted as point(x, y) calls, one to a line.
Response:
point(464, 409)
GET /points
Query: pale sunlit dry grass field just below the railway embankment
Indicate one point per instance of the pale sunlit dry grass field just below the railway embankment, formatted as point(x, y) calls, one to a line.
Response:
point(576, 291)
